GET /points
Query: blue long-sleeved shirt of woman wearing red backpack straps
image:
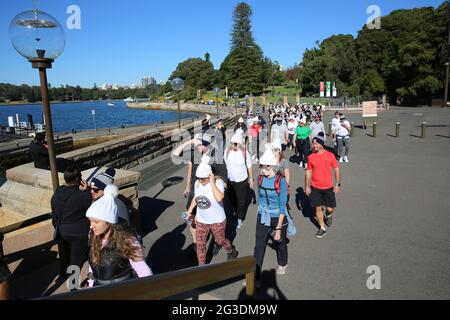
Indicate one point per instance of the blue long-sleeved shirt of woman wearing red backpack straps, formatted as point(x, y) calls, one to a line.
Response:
point(270, 203)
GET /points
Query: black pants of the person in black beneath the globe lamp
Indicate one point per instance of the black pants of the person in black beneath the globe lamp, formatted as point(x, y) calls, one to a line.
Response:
point(73, 250)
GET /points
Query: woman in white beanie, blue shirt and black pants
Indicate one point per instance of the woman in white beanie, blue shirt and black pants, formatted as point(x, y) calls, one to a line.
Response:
point(271, 221)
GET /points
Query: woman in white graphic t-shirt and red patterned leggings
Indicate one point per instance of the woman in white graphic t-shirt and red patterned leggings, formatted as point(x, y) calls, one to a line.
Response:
point(209, 195)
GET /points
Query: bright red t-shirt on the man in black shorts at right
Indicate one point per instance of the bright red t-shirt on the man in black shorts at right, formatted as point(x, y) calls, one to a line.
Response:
point(321, 165)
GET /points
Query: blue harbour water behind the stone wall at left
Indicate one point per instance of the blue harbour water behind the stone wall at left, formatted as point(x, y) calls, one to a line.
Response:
point(79, 116)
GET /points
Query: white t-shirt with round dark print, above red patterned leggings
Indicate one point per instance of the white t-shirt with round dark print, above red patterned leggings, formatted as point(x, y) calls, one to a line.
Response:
point(209, 211)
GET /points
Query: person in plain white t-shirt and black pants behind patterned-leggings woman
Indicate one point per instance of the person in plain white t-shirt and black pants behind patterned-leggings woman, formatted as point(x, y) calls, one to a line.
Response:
point(240, 175)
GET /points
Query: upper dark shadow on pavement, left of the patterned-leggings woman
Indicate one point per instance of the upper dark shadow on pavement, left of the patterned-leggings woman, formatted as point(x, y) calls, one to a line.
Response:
point(150, 209)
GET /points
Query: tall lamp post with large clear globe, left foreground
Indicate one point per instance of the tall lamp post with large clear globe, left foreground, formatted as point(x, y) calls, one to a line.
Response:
point(40, 38)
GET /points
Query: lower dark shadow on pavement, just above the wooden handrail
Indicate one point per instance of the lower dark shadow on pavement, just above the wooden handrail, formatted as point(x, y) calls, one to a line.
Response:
point(167, 253)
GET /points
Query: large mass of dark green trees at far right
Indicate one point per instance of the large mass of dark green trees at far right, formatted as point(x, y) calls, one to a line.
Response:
point(403, 59)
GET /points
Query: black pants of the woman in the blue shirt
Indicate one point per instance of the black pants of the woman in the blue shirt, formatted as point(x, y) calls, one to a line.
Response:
point(262, 236)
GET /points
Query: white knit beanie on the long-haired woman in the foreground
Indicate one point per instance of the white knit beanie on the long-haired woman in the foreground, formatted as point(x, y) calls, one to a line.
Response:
point(105, 208)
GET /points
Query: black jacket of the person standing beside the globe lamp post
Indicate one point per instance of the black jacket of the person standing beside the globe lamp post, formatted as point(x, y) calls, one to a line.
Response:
point(69, 206)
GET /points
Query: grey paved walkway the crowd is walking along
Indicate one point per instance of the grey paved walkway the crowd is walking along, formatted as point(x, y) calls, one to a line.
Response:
point(393, 212)
